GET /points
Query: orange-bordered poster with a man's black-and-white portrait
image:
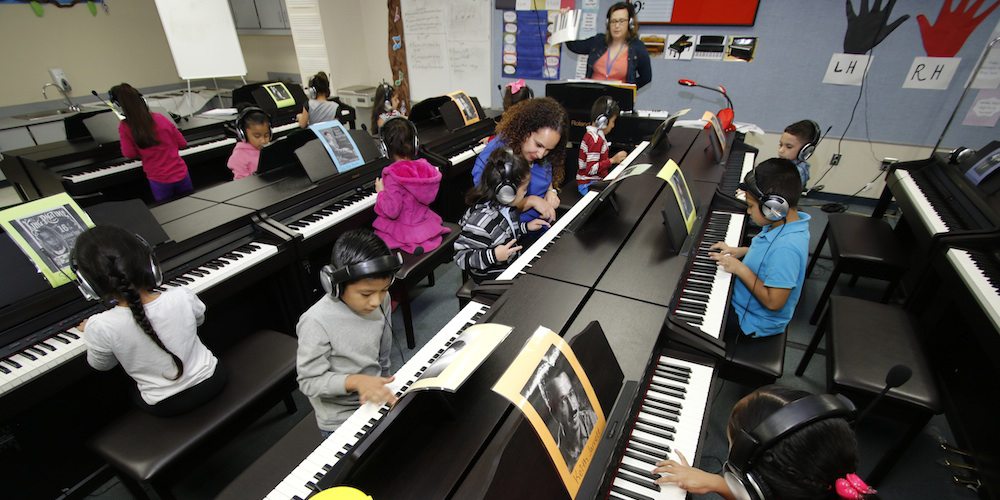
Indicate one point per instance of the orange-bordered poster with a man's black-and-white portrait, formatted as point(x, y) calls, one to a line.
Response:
point(548, 385)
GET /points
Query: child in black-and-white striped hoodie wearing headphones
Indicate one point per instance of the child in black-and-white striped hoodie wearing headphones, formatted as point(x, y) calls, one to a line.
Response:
point(492, 225)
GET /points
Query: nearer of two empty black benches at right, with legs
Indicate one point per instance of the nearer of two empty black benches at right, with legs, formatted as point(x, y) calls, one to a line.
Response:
point(865, 340)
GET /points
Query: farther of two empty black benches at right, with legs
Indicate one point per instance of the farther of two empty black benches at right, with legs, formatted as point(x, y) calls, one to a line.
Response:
point(861, 246)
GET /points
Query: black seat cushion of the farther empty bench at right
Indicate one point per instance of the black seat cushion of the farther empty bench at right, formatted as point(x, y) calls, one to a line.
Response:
point(867, 243)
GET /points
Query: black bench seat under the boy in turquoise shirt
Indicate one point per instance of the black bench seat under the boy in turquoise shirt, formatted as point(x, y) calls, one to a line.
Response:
point(756, 361)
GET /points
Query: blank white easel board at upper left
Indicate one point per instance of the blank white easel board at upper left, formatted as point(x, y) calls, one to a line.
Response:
point(202, 38)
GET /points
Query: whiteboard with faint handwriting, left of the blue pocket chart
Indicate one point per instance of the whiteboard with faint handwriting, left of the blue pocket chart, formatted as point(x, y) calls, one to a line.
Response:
point(446, 49)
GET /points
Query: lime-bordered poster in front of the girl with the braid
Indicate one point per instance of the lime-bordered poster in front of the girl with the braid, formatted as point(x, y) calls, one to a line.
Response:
point(46, 230)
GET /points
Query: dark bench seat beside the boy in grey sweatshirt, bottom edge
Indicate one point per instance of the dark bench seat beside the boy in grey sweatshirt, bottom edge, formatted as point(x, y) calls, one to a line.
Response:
point(272, 467)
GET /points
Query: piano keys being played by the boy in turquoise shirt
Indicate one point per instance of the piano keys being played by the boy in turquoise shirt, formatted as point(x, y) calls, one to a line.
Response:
point(703, 300)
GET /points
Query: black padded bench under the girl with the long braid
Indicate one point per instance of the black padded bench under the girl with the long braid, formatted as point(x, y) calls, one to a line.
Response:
point(147, 452)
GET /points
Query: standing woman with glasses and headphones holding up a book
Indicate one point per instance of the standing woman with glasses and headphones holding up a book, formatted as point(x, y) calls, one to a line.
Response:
point(617, 54)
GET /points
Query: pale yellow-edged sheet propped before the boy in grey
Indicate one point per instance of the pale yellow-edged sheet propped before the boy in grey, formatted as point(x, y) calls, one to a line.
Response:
point(450, 370)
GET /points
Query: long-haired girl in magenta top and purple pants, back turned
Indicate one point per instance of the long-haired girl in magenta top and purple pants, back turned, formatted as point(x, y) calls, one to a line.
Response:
point(155, 140)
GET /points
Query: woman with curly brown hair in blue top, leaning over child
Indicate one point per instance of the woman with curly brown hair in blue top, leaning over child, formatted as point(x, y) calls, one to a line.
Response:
point(535, 129)
